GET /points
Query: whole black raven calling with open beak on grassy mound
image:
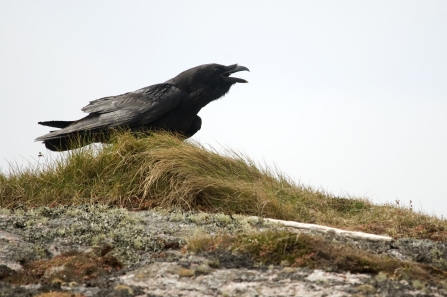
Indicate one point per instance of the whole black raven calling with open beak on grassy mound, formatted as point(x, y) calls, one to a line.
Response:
point(171, 106)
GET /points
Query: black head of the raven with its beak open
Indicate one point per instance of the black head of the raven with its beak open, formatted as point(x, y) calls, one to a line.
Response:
point(211, 80)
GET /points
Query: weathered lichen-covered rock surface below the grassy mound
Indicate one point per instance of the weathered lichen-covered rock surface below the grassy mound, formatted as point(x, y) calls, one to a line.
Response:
point(148, 243)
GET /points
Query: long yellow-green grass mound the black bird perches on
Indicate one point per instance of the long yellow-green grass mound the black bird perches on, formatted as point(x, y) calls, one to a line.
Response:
point(140, 172)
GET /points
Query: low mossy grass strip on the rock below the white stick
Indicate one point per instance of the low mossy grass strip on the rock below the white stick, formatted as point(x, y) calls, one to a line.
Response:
point(305, 250)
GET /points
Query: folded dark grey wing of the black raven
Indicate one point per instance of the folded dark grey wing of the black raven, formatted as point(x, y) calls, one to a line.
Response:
point(135, 108)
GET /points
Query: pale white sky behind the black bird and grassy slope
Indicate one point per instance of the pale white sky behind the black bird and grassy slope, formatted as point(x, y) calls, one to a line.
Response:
point(346, 96)
